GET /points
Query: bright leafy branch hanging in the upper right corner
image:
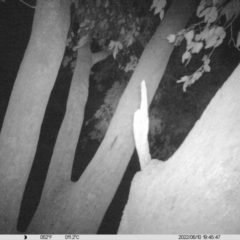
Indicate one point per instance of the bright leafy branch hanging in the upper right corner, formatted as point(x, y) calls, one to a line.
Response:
point(209, 33)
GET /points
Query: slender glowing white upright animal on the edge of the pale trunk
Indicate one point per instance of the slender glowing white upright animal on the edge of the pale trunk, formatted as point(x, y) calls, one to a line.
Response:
point(141, 128)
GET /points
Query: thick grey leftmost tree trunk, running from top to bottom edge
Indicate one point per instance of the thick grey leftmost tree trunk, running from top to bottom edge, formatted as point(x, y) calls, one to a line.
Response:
point(32, 88)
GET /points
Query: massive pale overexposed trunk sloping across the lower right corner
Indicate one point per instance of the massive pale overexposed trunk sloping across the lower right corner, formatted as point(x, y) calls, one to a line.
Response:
point(198, 189)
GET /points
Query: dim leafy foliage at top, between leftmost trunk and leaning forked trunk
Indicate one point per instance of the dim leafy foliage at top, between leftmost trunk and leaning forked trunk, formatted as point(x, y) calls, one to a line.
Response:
point(115, 25)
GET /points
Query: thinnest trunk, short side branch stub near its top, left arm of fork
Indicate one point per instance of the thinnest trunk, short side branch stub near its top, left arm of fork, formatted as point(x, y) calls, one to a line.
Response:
point(57, 188)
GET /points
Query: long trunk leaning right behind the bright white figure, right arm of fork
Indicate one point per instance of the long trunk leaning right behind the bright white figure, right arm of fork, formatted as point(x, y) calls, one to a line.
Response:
point(80, 207)
